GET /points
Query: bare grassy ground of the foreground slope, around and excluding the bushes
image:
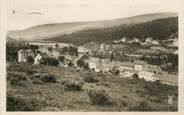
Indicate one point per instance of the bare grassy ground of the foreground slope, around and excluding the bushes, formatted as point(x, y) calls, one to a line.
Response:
point(126, 95)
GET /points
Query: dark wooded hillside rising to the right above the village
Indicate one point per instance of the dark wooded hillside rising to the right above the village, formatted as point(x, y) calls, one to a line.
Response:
point(159, 29)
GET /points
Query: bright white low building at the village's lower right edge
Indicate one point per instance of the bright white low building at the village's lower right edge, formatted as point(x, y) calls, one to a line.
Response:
point(148, 76)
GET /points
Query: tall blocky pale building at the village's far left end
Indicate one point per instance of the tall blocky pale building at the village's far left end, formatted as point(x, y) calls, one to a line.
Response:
point(23, 55)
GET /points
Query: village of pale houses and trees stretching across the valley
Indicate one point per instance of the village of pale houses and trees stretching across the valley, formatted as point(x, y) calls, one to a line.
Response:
point(125, 58)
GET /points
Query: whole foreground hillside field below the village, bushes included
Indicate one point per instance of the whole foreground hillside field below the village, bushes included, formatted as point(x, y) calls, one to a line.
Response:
point(51, 88)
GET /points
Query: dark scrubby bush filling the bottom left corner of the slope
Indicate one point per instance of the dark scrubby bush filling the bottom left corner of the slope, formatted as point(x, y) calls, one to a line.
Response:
point(16, 104)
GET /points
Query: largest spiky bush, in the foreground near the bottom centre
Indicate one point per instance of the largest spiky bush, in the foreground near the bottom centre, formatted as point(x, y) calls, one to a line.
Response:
point(98, 97)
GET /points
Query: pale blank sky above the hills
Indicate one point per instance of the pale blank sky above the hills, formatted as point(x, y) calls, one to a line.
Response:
point(26, 13)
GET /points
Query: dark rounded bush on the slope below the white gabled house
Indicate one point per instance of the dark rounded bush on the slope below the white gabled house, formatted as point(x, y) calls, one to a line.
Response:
point(48, 78)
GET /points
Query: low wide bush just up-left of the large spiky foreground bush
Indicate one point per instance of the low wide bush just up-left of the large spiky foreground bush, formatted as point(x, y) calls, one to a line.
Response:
point(72, 85)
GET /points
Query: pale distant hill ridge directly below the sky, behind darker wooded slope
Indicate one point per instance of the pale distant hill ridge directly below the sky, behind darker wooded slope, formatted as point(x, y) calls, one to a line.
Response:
point(55, 30)
